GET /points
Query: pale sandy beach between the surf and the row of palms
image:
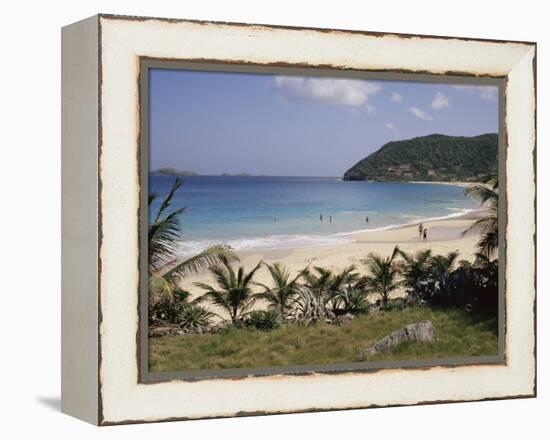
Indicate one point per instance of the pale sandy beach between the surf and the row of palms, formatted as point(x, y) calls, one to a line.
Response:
point(443, 236)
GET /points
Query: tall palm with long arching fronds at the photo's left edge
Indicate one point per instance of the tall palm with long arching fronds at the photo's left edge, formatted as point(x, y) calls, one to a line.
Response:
point(164, 236)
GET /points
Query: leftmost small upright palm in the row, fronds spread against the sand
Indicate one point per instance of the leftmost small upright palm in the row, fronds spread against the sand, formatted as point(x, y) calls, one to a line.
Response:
point(234, 293)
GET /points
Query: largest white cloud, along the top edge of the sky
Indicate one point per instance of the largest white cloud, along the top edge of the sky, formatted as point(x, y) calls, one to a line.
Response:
point(344, 92)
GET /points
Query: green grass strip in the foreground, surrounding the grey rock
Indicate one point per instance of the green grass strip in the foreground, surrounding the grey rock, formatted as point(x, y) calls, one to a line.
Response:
point(458, 334)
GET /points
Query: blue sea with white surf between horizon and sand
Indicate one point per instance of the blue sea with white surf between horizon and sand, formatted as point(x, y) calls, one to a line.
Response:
point(278, 212)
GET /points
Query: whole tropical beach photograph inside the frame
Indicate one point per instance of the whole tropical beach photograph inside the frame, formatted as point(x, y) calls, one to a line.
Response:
point(298, 220)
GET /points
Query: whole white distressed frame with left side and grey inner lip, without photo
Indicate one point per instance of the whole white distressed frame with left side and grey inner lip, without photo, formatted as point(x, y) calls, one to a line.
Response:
point(104, 373)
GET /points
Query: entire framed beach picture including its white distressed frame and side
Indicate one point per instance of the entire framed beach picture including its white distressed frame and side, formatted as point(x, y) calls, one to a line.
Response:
point(263, 220)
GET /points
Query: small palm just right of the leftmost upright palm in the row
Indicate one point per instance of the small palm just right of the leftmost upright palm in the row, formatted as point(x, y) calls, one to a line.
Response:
point(284, 289)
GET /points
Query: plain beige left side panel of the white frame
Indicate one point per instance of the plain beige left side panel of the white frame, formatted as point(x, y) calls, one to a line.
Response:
point(80, 220)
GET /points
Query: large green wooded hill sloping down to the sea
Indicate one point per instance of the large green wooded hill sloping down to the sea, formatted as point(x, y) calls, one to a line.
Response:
point(436, 157)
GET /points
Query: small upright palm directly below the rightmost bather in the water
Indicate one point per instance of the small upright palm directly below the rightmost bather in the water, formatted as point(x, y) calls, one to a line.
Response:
point(384, 275)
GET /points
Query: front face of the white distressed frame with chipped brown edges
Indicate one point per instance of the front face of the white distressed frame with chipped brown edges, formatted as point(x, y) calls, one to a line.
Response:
point(122, 41)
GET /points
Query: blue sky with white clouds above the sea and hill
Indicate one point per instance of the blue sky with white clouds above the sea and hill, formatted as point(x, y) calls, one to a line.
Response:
point(216, 122)
